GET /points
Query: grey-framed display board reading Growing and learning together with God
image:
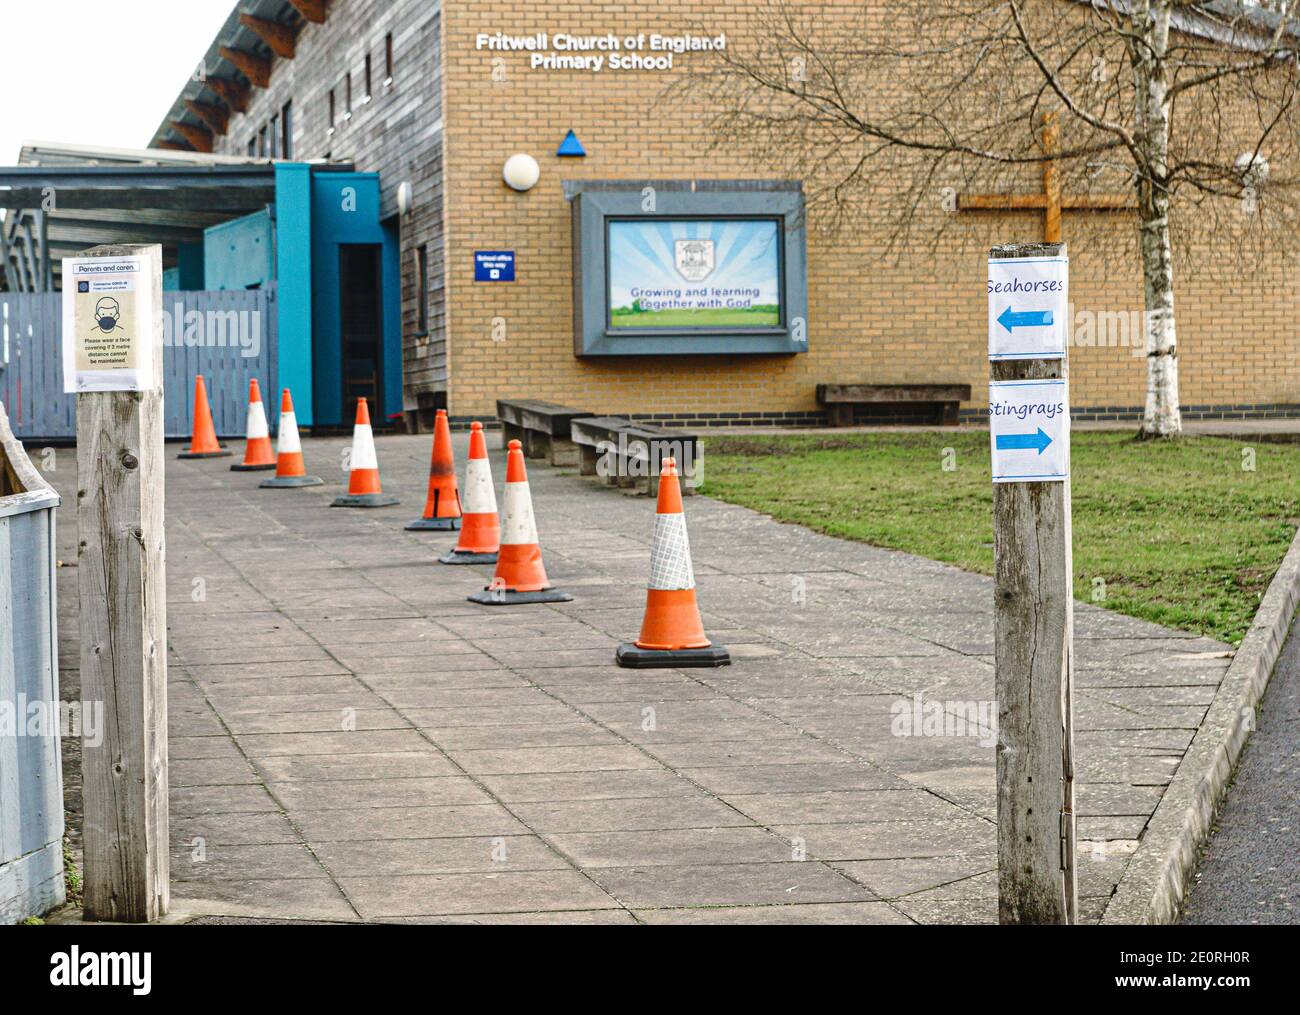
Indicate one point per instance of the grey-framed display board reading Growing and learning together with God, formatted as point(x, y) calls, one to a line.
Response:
point(690, 267)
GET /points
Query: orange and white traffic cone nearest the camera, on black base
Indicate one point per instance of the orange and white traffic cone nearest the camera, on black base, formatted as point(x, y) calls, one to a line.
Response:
point(673, 634)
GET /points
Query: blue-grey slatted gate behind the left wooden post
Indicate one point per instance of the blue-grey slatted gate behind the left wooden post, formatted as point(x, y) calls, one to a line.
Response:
point(227, 336)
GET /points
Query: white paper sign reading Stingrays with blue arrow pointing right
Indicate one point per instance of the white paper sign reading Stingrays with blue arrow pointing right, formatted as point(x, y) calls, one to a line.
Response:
point(1029, 426)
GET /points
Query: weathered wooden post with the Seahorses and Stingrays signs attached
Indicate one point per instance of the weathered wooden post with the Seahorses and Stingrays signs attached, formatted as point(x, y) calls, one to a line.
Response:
point(1034, 605)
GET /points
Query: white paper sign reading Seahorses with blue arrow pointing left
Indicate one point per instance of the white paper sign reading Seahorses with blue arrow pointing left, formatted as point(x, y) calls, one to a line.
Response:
point(1028, 307)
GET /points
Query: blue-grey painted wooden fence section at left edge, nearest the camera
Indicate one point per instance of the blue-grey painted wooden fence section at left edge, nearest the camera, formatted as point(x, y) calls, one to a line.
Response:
point(32, 800)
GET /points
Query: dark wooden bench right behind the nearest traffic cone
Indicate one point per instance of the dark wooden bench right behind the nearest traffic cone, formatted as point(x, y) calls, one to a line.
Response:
point(631, 454)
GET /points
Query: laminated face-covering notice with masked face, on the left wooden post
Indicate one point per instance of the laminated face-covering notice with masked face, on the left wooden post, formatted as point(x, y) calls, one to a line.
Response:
point(109, 324)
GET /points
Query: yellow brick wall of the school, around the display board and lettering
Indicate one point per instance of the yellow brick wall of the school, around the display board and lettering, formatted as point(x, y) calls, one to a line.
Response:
point(917, 319)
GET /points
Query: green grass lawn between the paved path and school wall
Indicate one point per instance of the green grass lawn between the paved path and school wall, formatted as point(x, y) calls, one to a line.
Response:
point(1178, 533)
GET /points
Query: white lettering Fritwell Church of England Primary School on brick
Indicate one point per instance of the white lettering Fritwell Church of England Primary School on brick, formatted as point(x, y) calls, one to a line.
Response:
point(597, 54)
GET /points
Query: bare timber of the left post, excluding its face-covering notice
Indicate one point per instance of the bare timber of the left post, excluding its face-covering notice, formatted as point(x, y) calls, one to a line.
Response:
point(123, 618)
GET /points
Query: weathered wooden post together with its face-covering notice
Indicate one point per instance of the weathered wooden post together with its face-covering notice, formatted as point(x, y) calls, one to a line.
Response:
point(114, 361)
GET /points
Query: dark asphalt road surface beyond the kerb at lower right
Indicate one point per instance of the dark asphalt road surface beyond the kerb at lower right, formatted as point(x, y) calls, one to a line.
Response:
point(1251, 870)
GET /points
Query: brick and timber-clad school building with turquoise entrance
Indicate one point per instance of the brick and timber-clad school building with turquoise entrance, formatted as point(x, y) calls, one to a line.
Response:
point(491, 198)
